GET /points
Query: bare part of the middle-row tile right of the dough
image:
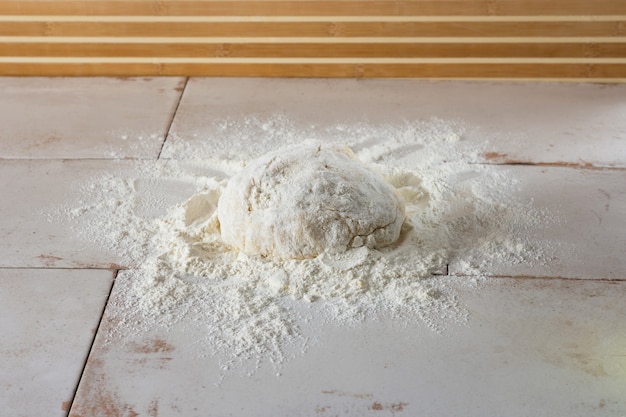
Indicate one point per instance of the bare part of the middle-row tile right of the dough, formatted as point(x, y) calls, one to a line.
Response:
point(584, 239)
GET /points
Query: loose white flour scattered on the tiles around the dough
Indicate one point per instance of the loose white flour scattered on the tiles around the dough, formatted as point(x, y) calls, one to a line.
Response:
point(250, 309)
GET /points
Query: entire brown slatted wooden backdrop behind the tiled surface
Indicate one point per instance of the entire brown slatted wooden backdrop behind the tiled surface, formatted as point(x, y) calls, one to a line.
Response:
point(494, 39)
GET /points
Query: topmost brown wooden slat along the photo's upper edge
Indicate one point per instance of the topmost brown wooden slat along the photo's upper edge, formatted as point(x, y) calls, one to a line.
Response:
point(313, 8)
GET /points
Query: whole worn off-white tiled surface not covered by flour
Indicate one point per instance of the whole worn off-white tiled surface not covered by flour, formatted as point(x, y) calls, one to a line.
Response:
point(532, 346)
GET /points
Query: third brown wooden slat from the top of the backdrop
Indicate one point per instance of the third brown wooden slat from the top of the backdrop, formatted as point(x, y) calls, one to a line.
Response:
point(317, 50)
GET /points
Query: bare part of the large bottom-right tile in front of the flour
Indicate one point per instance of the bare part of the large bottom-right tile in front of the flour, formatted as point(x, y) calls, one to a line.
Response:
point(531, 347)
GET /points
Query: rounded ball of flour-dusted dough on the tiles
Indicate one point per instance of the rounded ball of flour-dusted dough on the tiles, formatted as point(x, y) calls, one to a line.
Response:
point(300, 202)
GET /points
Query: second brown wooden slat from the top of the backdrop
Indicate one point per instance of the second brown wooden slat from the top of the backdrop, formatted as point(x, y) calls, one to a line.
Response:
point(315, 29)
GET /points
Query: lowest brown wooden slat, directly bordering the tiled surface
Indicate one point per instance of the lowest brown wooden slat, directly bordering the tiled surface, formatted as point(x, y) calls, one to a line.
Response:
point(572, 72)
